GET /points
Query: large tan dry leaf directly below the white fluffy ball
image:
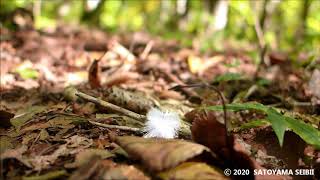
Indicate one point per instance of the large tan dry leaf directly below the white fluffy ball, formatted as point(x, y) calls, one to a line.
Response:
point(159, 154)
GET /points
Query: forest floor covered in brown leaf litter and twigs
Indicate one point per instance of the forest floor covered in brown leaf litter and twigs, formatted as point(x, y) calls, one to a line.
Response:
point(49, 130)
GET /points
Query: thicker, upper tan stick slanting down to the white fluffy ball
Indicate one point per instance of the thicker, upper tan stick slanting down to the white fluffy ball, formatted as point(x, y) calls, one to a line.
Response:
point(113, 107)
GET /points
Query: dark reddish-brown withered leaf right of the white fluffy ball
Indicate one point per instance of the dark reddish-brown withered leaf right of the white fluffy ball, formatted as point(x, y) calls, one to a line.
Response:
point(207, 131)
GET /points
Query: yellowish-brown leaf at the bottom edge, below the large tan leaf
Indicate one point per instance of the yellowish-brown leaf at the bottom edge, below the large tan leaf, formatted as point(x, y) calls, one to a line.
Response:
point(193, 170)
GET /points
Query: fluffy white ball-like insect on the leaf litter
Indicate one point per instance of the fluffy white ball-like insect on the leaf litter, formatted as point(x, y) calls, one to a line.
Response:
point(161, 124)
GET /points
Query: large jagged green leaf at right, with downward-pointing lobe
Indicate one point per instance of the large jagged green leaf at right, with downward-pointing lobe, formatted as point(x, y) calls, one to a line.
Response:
point(280, 123)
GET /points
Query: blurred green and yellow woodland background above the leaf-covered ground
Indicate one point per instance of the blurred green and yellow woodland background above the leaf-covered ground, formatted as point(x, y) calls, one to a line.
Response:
point(285, 25)
